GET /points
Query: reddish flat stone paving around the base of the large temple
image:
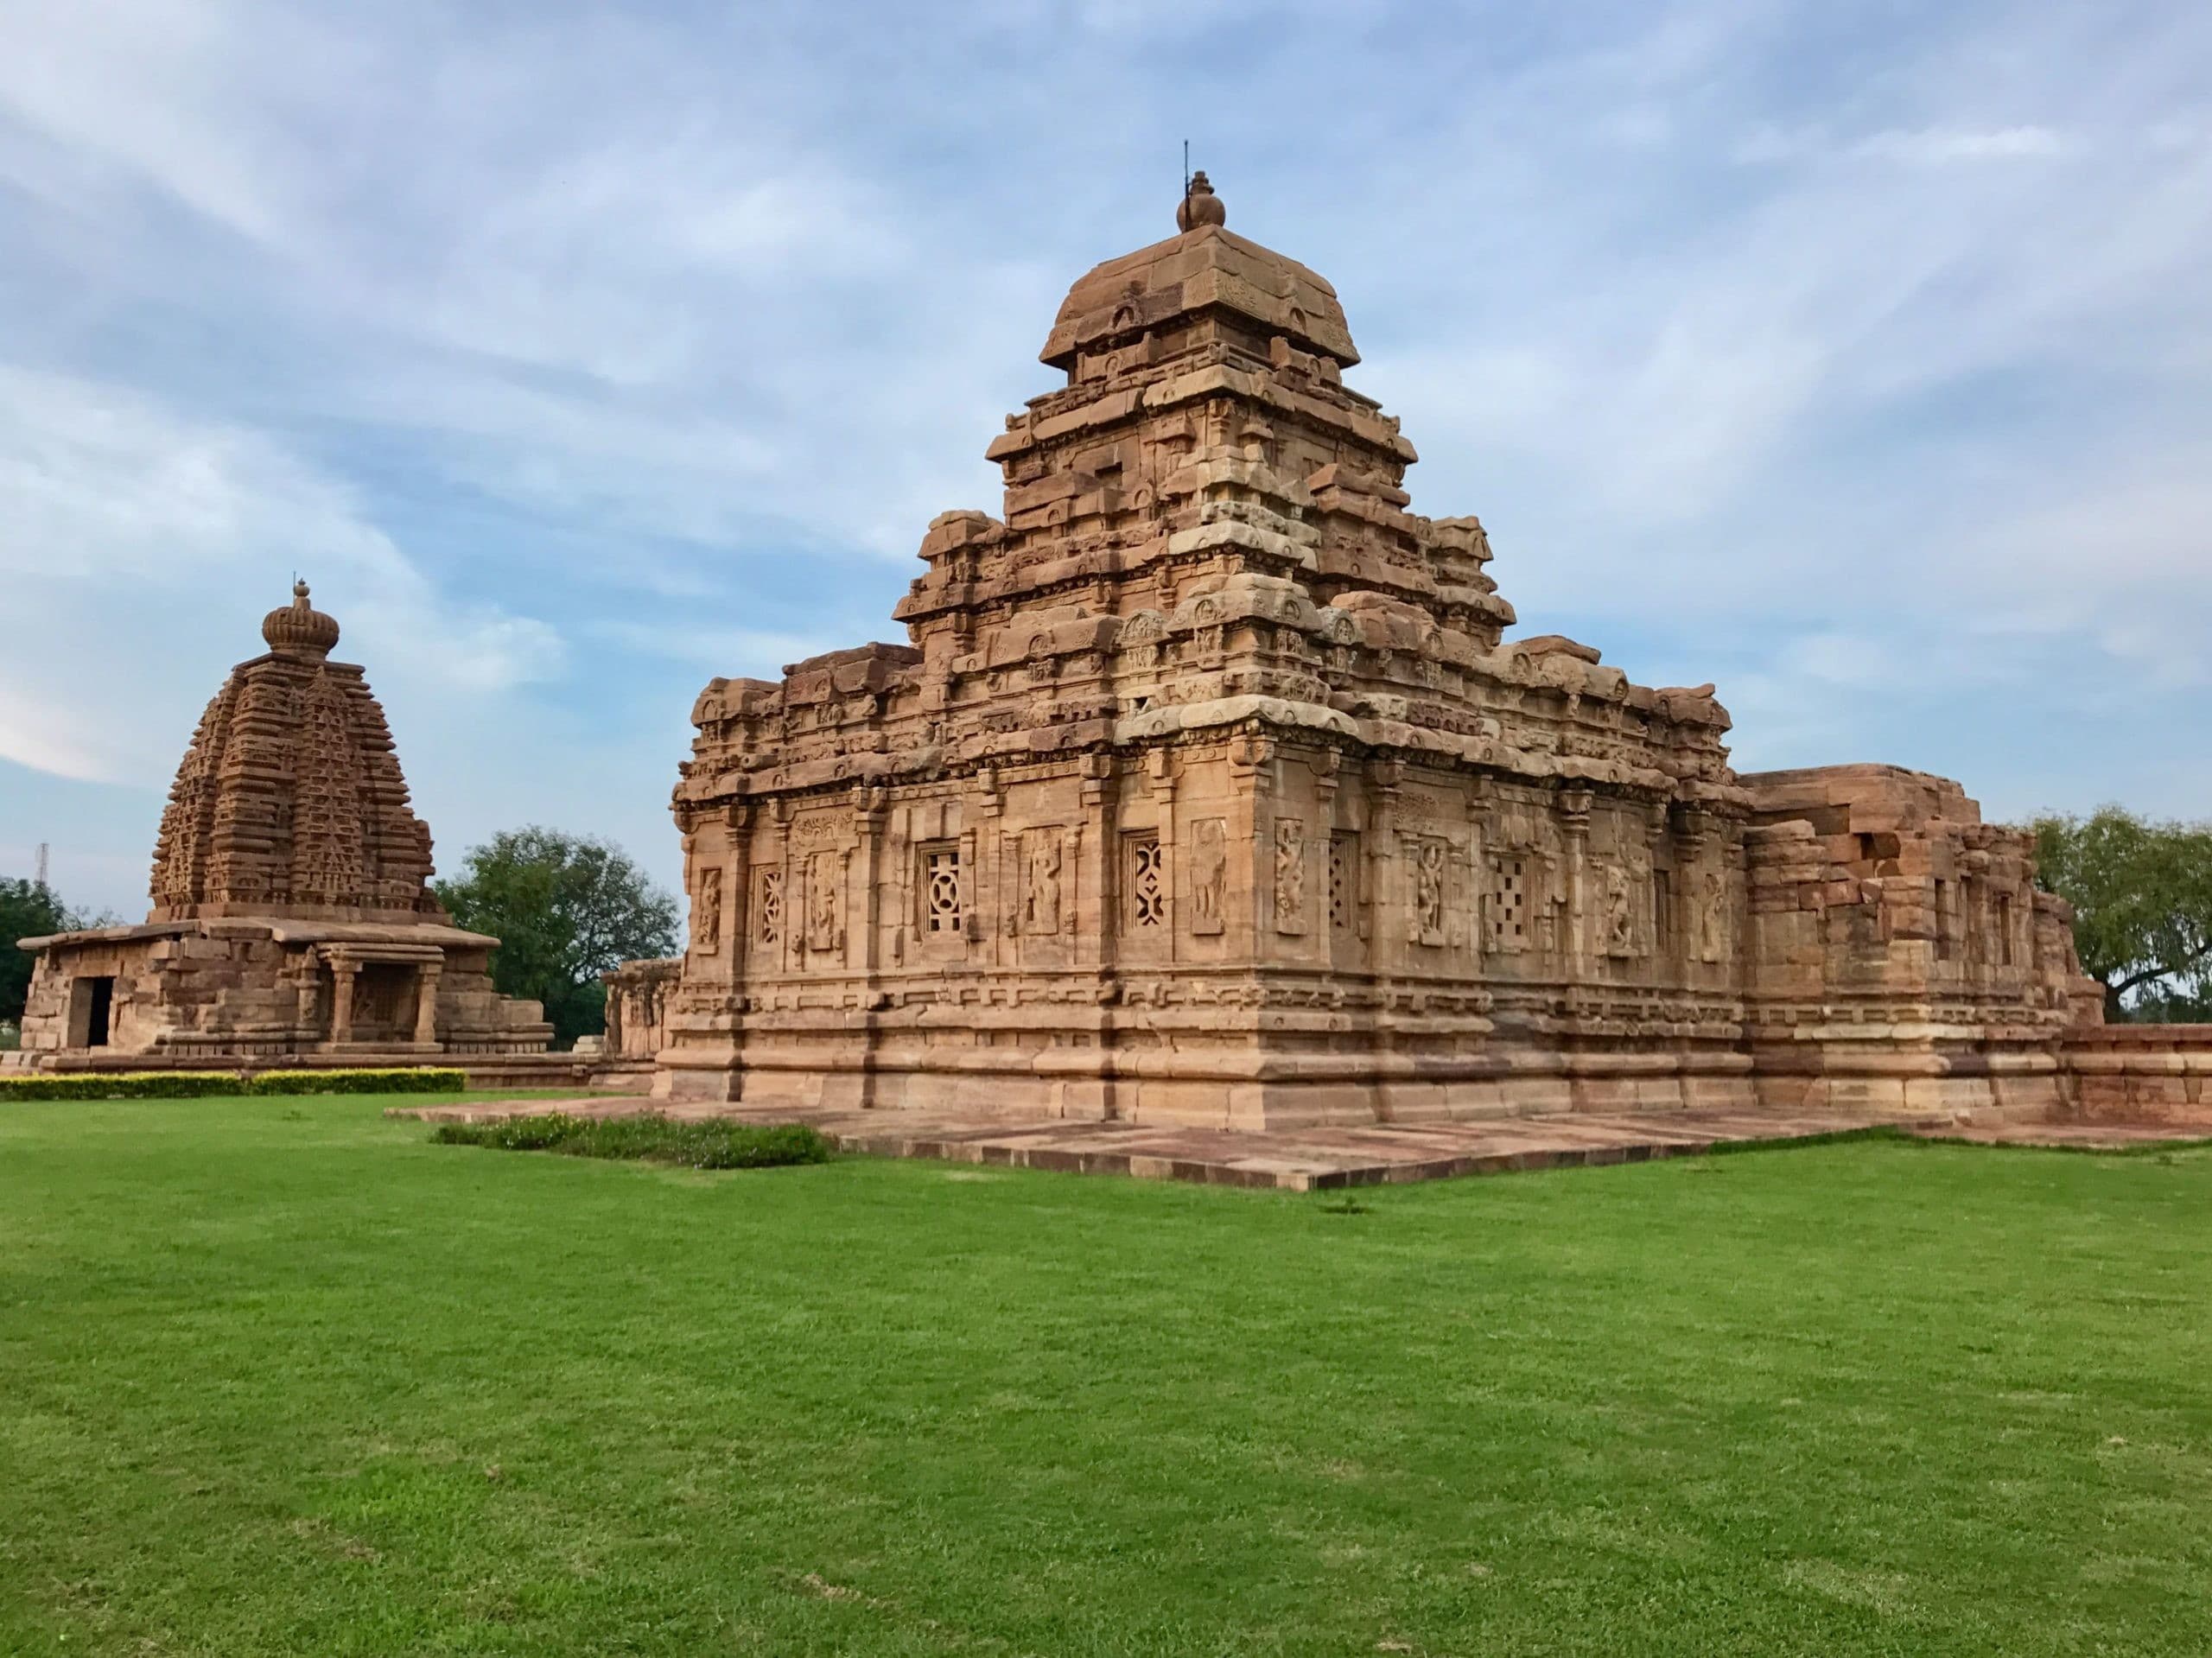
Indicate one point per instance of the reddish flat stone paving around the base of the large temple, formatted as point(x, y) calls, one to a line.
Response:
point(1306, 1159)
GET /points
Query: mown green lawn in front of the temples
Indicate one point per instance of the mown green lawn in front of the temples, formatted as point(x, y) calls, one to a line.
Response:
point(282, 1378)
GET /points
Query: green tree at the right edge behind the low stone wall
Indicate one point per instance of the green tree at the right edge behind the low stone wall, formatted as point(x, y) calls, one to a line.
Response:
point(2142, 896)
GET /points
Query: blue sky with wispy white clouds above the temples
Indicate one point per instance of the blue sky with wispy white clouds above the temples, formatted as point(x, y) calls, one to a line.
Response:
point(1857, 359)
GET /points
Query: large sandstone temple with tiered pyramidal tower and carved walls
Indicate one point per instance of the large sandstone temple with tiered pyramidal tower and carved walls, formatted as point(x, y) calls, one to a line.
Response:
point(1207, 788)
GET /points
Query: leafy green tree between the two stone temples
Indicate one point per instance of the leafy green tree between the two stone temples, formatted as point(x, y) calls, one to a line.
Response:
point(565, 910)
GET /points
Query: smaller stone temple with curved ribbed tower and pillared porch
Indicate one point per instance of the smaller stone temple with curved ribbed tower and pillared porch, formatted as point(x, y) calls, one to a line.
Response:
point(291, 901)
